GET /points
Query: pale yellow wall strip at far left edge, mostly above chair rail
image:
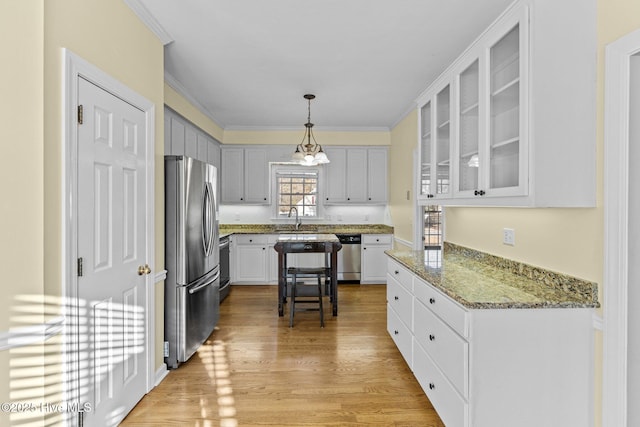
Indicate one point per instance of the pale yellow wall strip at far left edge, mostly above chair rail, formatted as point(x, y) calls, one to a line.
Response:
point(21, 175)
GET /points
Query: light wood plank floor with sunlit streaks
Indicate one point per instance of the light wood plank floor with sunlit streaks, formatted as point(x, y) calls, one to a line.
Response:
point(254, 370)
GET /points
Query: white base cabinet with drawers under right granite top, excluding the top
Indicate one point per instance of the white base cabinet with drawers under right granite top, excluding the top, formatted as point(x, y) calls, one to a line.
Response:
point(493, 367)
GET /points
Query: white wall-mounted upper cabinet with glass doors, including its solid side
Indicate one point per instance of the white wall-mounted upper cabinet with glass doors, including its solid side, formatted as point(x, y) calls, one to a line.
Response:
point(521, 104)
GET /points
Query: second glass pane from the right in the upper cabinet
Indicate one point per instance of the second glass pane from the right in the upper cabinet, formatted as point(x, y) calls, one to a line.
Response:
point(469, 130)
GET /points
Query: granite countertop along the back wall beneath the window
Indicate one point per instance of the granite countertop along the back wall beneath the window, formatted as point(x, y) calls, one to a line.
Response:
point(227, 229)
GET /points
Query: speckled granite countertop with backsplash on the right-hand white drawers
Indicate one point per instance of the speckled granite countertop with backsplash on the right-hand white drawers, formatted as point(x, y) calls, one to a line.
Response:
point(480, 281)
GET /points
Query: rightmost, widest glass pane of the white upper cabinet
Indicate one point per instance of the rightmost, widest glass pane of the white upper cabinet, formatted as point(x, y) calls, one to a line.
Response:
point(505, 111)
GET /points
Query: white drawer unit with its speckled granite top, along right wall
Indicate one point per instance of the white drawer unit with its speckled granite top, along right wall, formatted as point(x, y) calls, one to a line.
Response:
point(492, 341)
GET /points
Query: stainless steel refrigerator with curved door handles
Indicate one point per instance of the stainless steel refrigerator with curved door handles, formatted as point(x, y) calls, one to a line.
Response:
point(192, 258)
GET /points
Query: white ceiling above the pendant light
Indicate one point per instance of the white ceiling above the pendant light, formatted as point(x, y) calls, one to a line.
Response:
point(248, 63)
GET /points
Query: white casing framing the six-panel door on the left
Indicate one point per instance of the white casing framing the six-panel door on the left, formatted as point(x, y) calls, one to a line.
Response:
point(74, 68)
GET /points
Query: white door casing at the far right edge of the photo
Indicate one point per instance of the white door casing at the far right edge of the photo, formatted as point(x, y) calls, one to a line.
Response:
point(616, 227)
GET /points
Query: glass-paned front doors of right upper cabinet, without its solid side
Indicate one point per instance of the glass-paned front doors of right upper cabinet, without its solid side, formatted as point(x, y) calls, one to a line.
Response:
point(472, 120)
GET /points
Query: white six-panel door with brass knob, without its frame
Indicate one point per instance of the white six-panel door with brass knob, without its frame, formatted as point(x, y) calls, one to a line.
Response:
point(111, 242)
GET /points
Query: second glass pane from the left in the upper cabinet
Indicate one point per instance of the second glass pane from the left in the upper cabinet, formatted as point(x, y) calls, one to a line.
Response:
point(443, 161)
